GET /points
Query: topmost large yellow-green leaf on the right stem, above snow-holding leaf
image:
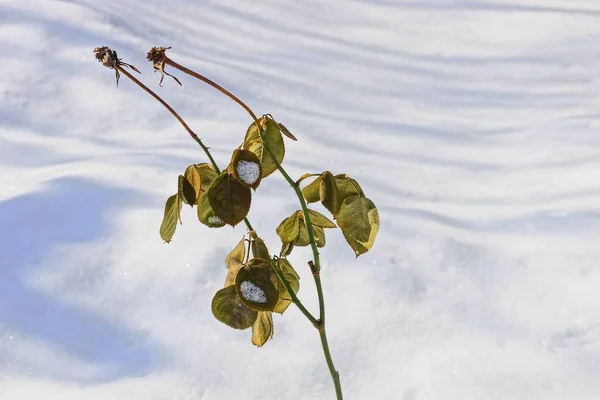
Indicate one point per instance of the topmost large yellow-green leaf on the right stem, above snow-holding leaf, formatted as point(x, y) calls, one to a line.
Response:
point(272, 138)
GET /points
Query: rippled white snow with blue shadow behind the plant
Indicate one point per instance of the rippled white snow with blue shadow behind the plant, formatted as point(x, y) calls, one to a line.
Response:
point(473, 125)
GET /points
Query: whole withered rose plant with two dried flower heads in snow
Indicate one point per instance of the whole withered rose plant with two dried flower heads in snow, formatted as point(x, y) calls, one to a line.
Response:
point(258, 282)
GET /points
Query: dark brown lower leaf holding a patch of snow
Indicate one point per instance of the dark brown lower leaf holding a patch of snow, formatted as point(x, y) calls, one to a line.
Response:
point(255, 284)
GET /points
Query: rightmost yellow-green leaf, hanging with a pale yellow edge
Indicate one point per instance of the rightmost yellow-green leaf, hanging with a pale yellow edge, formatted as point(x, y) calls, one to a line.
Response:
point(359, 221)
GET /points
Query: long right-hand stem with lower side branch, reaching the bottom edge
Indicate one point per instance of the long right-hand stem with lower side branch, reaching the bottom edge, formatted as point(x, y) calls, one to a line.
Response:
point(320, 323)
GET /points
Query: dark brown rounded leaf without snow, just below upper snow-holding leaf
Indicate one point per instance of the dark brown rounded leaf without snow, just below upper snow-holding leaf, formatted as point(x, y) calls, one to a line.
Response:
point(229, 198)
